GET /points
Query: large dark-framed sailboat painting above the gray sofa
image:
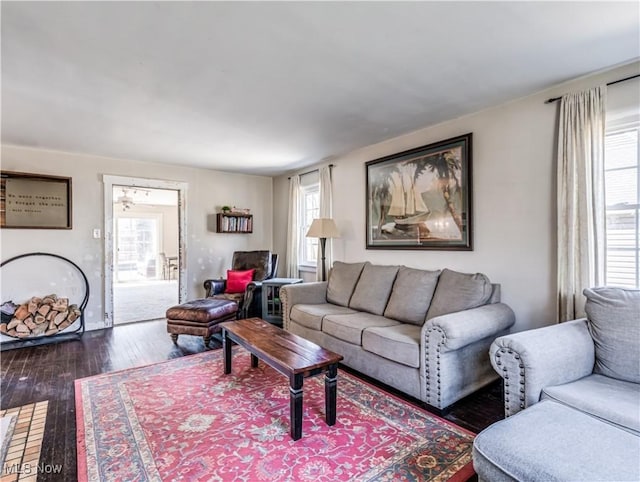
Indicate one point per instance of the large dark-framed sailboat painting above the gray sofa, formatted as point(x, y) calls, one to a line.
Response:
point(421, 198)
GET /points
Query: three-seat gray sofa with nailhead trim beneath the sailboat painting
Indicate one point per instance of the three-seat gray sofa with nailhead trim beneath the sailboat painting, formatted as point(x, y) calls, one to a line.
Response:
point(425, 333)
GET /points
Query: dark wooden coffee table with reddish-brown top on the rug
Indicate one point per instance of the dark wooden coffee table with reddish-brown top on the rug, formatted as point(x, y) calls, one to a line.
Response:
point(289, 354)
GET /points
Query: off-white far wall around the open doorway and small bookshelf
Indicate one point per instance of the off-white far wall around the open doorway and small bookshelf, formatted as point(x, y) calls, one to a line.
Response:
point(207, 253)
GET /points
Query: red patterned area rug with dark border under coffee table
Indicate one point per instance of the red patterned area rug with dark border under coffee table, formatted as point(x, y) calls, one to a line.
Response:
point(184, 420)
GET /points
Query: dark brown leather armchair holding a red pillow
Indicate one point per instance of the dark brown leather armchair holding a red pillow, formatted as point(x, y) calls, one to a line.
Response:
point(265, 264)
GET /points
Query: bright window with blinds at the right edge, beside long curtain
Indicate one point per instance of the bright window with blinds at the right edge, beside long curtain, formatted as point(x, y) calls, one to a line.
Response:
point(622, 197)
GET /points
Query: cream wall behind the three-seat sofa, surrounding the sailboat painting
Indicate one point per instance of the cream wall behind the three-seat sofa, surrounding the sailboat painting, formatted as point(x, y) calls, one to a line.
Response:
point(514, 197)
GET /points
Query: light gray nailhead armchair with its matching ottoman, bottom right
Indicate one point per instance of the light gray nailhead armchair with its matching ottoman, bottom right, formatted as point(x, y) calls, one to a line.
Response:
point(572, 398)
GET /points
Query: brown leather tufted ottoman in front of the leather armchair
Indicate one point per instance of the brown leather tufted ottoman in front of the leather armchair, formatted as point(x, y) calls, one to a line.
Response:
point(199, 317)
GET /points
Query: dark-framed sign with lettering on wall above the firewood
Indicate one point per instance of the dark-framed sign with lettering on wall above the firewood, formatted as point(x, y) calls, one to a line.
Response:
point(35, 201)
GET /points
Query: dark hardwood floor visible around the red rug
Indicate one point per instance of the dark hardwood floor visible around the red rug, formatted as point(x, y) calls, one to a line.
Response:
point(48, 372)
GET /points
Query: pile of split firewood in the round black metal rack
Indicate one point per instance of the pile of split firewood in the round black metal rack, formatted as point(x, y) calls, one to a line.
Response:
point(41, 316)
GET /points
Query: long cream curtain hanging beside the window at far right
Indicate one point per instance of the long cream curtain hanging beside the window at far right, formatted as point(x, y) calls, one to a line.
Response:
point(581, 203)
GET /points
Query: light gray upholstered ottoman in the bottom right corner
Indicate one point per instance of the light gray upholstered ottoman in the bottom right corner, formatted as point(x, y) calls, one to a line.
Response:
point(552, 442)
